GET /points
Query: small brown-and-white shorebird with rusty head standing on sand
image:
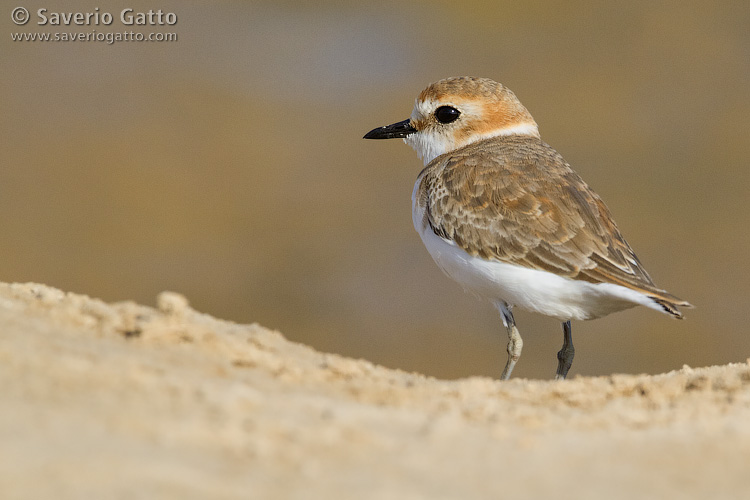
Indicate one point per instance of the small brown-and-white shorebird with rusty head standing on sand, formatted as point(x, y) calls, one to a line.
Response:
point(506, 217)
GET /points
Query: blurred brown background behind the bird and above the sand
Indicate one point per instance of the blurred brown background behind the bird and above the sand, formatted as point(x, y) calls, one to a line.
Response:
point(229, 166)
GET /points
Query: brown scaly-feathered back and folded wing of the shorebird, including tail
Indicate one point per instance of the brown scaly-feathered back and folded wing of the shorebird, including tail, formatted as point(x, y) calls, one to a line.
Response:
point(515, 200)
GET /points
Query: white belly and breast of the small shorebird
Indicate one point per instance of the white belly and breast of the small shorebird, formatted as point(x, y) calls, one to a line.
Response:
point(534, 290)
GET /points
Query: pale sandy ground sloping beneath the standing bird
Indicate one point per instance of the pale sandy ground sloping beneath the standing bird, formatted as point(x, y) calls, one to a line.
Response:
point(127, 401)
